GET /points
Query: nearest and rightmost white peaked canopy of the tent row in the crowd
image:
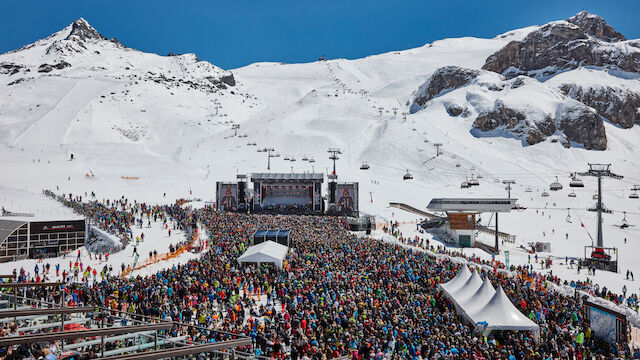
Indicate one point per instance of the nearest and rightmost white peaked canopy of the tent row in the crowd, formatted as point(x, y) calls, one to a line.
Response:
point(500, 314)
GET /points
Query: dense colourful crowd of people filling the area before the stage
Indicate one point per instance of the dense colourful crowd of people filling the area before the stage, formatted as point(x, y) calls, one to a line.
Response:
point(341, 294)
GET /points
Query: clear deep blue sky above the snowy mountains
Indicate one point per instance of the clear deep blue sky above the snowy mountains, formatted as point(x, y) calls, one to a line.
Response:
point(236, 33)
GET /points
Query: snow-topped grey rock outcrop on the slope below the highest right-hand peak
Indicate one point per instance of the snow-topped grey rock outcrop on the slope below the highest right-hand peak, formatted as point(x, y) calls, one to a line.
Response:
point(522, 107)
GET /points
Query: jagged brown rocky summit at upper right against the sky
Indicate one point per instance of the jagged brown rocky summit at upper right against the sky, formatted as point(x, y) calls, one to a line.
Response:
point(582, 40)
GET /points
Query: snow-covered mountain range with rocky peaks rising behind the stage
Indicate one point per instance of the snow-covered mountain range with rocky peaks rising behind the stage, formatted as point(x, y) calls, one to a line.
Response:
point(171, 121)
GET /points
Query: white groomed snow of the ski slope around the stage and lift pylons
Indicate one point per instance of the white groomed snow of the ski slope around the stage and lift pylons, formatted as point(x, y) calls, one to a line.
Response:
point(120, 117)
